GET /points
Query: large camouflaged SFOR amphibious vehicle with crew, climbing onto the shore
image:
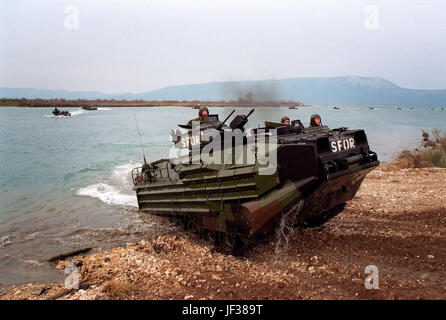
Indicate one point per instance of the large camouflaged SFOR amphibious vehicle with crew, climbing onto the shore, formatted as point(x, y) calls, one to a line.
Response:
point(309, 172)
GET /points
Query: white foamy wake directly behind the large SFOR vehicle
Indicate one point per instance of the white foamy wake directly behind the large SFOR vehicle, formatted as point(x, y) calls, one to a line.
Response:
point(116, 190)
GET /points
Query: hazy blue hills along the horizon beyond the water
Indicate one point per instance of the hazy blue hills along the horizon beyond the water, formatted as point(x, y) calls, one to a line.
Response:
point(348, 90)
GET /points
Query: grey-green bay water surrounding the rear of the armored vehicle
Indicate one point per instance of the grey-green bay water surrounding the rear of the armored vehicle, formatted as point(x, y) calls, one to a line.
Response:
point(65, 182)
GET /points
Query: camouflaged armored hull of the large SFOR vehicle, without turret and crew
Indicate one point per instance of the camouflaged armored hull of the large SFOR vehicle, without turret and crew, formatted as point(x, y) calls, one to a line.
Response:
point(318, 168)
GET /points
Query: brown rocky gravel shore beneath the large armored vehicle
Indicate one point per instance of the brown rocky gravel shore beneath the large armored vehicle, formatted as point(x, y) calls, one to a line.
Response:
point(397, 222)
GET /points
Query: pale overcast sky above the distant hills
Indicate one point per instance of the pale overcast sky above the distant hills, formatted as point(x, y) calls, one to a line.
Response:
point(136, 46)
